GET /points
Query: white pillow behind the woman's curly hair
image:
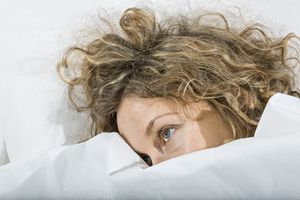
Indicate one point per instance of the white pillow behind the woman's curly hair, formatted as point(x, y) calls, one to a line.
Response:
point(34, 113)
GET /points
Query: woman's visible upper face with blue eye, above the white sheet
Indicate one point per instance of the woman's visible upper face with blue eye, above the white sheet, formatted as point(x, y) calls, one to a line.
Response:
point(160, 129)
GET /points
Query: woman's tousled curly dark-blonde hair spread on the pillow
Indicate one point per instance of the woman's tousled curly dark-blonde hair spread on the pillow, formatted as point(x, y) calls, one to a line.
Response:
point(185, 60)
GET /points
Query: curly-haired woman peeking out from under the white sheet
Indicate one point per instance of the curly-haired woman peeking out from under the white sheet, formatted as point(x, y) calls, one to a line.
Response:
point(178, 86)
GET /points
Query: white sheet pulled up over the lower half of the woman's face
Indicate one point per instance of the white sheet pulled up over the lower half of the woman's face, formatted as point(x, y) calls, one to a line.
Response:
point(105, 167)
